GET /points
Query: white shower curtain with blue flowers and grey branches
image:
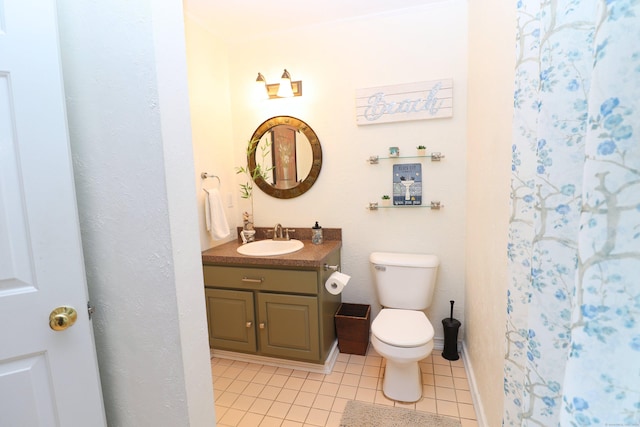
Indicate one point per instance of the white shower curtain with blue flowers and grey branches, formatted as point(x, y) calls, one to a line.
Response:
point(573, 323)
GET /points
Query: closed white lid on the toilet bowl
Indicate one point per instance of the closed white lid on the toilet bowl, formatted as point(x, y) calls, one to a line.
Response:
point(390, 327)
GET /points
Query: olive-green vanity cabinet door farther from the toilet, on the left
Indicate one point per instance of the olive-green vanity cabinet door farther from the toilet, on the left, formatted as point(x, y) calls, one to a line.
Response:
point(230, 315)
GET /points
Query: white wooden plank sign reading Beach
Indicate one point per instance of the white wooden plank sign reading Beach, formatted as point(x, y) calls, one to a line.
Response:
point(399, 103)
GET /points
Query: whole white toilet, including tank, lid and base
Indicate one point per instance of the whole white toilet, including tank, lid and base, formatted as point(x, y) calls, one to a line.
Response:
point(401, 332)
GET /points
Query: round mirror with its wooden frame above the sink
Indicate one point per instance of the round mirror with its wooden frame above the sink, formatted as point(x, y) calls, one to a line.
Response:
point(289, 154)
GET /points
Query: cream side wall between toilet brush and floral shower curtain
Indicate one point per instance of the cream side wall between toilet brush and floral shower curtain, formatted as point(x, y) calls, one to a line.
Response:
point(491, 73)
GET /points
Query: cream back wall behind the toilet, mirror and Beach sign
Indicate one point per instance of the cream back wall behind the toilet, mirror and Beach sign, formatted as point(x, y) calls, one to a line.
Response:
point(333, 60)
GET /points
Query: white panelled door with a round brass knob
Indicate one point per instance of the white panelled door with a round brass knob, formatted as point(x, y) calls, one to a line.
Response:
point(47, 377)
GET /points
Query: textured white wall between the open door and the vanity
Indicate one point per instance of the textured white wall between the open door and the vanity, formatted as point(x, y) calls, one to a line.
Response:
point(125, 82)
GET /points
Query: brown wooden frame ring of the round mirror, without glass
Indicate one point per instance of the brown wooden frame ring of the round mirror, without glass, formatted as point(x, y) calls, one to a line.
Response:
point(316, 151)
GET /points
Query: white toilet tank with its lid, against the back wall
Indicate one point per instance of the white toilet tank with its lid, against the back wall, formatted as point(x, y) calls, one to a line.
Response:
point(404, 281)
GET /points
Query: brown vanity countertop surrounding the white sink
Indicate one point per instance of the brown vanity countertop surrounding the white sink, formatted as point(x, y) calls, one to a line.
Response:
point(310, 256)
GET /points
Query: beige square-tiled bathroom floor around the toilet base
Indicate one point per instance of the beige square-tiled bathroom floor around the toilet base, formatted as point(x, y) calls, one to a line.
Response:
point(248, 394)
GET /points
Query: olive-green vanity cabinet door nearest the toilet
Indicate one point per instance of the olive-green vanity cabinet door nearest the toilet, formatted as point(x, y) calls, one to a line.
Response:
point(288, 326)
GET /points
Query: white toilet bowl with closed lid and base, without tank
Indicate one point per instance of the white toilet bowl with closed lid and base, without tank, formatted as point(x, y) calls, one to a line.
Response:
point(403, 338)
